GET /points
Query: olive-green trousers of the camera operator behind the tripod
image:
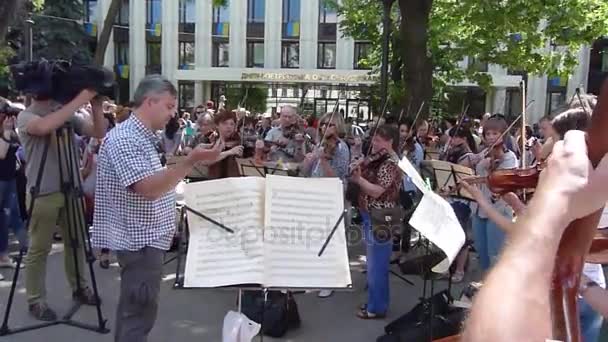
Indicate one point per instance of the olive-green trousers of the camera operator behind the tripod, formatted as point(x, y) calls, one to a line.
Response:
point(49, 212)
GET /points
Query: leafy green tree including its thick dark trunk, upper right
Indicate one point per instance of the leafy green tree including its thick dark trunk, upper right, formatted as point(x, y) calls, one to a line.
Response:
point(435, 35)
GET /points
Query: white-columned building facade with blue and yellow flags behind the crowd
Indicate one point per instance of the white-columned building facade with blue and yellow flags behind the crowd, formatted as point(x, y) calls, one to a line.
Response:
point(293, 48)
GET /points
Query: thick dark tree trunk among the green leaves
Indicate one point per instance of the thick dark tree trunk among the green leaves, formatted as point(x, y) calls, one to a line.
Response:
point(418, 66)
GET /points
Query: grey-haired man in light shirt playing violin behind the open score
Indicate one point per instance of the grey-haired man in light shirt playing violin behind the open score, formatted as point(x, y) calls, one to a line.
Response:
point(286, 140)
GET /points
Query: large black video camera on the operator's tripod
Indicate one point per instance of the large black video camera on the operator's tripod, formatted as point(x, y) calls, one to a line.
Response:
point(61, 80)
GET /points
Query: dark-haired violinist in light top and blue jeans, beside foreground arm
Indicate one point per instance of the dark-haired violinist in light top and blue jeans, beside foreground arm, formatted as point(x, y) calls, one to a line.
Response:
point(488, 237)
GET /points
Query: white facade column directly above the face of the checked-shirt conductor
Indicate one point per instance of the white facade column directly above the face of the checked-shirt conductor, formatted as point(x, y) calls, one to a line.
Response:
point(170, 39)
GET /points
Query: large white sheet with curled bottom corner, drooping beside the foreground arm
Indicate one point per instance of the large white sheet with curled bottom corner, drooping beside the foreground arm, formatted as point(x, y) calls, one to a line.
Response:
point(435, 219)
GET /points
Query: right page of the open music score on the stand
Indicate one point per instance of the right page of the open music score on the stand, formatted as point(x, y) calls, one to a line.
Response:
point(300, 213)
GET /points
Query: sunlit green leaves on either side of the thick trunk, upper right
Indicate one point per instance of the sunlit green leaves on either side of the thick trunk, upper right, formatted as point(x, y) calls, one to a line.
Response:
point(515, 34)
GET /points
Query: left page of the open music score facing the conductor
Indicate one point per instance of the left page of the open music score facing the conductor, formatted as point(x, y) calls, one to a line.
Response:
point(215, 256)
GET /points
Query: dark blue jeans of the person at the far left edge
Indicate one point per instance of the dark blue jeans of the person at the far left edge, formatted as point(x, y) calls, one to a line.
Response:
point(10, 216)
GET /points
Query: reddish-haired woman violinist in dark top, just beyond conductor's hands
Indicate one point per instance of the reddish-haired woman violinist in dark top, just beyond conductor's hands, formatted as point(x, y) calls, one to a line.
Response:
point(226, 165)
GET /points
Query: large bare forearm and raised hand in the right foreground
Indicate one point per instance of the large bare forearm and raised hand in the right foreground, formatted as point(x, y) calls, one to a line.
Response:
point(513, 304)
